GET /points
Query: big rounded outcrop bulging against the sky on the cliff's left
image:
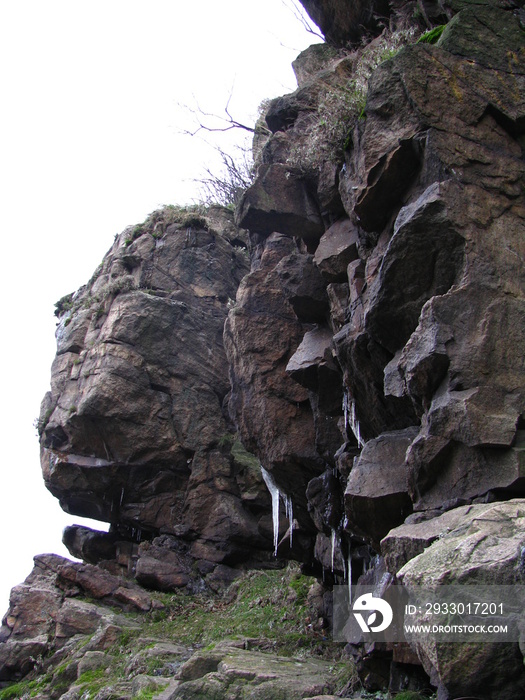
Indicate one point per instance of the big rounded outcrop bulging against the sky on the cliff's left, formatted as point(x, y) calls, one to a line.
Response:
point(133, 431)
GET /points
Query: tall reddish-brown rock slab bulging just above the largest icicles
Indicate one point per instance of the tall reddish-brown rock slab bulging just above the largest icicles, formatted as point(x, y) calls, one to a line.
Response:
point(271, 411)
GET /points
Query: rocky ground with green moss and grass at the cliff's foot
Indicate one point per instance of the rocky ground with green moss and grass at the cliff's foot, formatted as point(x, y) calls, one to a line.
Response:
point(262, 638)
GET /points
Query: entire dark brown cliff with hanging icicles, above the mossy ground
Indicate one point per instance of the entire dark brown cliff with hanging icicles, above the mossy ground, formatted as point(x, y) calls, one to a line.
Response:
point(349, 346)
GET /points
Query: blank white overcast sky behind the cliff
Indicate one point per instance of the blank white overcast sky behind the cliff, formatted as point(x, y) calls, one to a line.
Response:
point(90, 142)
